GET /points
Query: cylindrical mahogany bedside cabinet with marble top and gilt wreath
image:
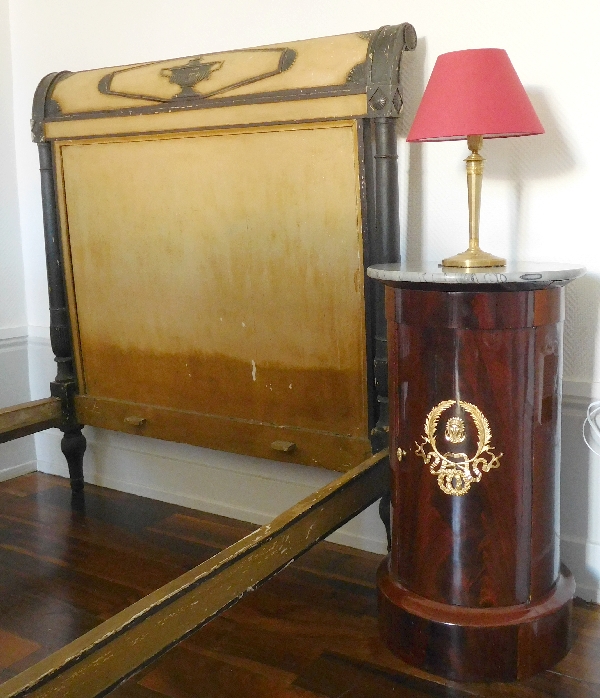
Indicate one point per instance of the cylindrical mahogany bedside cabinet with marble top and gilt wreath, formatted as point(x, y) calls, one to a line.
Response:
point(473, 589)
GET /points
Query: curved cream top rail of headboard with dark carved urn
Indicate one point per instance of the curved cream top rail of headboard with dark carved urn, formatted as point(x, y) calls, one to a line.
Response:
point(361, 66)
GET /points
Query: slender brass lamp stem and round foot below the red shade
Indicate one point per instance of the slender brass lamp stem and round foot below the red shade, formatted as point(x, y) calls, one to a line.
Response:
point(474, 256)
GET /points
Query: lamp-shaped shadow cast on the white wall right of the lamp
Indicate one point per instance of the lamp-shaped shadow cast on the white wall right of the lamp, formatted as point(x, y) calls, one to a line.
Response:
point(520, 160)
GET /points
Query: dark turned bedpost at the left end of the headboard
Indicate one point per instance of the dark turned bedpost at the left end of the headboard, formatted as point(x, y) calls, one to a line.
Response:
point(64, 386)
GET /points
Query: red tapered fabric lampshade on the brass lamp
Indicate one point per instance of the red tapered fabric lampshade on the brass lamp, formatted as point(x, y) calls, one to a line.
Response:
point(474, 92)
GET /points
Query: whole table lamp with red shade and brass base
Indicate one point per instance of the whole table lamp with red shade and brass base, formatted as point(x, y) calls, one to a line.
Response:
point(472, 95)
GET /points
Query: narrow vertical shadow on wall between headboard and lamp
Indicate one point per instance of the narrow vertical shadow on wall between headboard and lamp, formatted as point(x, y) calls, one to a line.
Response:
point(413, 86)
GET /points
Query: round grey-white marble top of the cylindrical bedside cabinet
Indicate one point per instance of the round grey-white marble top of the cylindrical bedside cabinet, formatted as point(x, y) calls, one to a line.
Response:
point(537, 273)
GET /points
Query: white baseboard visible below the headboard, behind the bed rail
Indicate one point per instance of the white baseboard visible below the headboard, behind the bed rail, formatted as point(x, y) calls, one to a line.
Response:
point(243, 488)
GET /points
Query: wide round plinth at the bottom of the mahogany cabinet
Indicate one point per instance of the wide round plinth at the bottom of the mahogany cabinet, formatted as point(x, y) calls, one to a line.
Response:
point(476, 644)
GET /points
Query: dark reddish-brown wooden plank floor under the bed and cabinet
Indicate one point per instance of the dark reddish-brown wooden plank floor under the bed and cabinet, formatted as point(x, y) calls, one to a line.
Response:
point(310, 631)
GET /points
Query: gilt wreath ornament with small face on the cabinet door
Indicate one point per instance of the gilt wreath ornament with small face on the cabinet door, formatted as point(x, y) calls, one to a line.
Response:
point(455, 471)
